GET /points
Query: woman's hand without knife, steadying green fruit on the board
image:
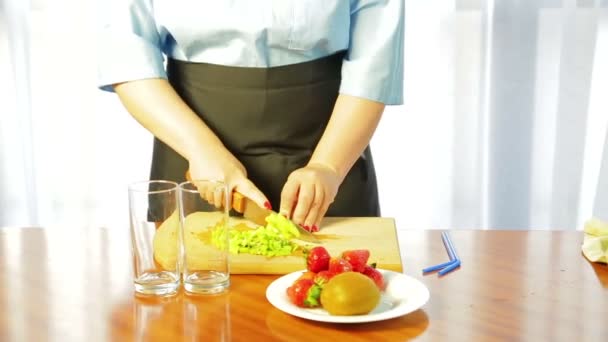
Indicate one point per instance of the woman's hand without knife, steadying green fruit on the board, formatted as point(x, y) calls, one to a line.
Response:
point(307, 194)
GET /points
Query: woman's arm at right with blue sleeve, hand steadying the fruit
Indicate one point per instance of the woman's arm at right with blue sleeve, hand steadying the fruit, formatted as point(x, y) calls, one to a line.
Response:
point(372, 76)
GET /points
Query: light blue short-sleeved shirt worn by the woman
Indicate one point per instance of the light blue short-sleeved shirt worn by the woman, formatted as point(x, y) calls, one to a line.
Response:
point(135, 35)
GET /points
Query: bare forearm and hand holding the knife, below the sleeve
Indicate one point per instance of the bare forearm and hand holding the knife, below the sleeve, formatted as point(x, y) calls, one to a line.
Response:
point(157, 107)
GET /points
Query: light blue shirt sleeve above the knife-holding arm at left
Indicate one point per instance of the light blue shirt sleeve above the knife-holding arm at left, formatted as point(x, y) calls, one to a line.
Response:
point(128, 43)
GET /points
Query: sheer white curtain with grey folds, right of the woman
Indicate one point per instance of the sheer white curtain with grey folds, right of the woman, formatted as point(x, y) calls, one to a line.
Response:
point(505, 117)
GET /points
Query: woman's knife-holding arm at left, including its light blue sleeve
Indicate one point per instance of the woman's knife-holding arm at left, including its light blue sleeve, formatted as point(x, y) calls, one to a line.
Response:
point(130, 62)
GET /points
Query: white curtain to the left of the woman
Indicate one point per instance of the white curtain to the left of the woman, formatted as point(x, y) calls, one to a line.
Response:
point(67, 150)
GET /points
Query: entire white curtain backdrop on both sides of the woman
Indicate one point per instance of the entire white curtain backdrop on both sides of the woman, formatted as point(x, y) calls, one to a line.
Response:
point(504, 124)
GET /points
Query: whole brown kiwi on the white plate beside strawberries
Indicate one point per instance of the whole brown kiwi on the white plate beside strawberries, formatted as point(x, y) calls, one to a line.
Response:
point(350, 293)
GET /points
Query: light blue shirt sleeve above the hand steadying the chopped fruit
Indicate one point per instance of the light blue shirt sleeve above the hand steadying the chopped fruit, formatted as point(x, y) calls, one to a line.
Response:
point(373, 65)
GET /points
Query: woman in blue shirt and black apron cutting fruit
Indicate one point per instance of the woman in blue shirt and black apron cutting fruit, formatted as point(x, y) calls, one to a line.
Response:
point(278, 98)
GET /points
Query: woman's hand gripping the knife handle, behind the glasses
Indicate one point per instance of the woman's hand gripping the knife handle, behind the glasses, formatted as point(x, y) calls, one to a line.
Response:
point(226, 168)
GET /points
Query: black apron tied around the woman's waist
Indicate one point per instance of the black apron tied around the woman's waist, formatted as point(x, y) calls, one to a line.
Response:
point(271, 119)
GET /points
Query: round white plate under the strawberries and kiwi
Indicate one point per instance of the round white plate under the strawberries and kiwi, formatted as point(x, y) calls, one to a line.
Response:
point(403, 295)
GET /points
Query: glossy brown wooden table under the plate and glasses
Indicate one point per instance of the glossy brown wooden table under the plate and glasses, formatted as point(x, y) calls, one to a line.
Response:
point(75, 285)
